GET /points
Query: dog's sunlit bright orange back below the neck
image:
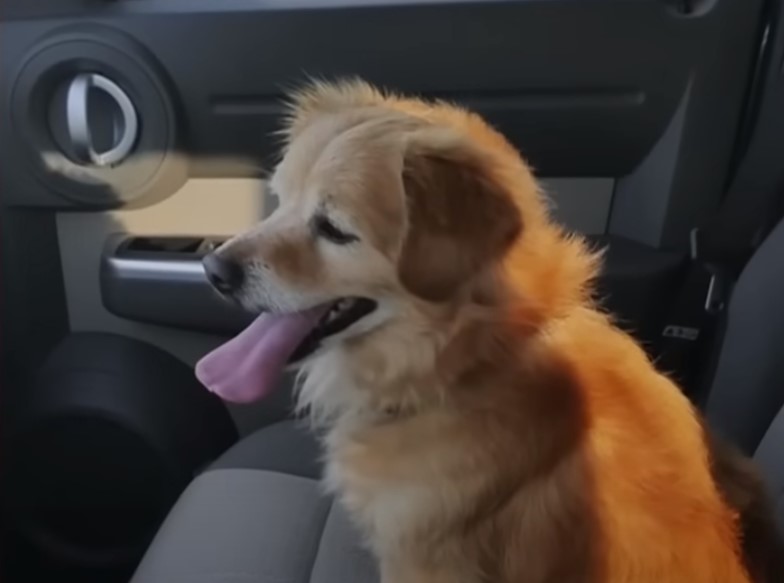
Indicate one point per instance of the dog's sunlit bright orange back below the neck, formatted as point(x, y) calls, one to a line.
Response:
point(659, 512)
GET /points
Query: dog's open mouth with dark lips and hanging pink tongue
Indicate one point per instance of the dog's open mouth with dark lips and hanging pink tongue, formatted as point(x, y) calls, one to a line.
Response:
point(248, 367)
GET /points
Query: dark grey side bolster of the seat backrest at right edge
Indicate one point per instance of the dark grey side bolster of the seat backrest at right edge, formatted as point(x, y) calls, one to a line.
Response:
point(748, 387)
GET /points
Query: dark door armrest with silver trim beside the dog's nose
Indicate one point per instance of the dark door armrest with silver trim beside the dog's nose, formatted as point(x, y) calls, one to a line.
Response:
point(160, 280)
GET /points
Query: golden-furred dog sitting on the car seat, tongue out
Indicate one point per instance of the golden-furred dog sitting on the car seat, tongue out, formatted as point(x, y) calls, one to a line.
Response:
point(483, 420)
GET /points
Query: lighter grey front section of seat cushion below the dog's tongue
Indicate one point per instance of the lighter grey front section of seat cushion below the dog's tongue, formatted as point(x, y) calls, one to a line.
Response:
point(256, 526)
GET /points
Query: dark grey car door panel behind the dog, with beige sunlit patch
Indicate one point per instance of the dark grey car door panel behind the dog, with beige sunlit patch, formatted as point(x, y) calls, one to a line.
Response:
point(622, 106)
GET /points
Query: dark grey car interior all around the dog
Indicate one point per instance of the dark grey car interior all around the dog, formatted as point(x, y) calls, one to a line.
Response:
point(136, 137)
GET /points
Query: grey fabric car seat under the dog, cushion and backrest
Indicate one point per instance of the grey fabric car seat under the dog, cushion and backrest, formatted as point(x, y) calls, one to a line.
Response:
point(258, 515)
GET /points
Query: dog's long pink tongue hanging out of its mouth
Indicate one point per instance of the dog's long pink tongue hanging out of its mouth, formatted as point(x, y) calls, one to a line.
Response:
point(247, 368)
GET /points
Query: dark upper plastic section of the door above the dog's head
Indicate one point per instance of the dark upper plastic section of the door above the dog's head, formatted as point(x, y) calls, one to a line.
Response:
point(584, 88)
